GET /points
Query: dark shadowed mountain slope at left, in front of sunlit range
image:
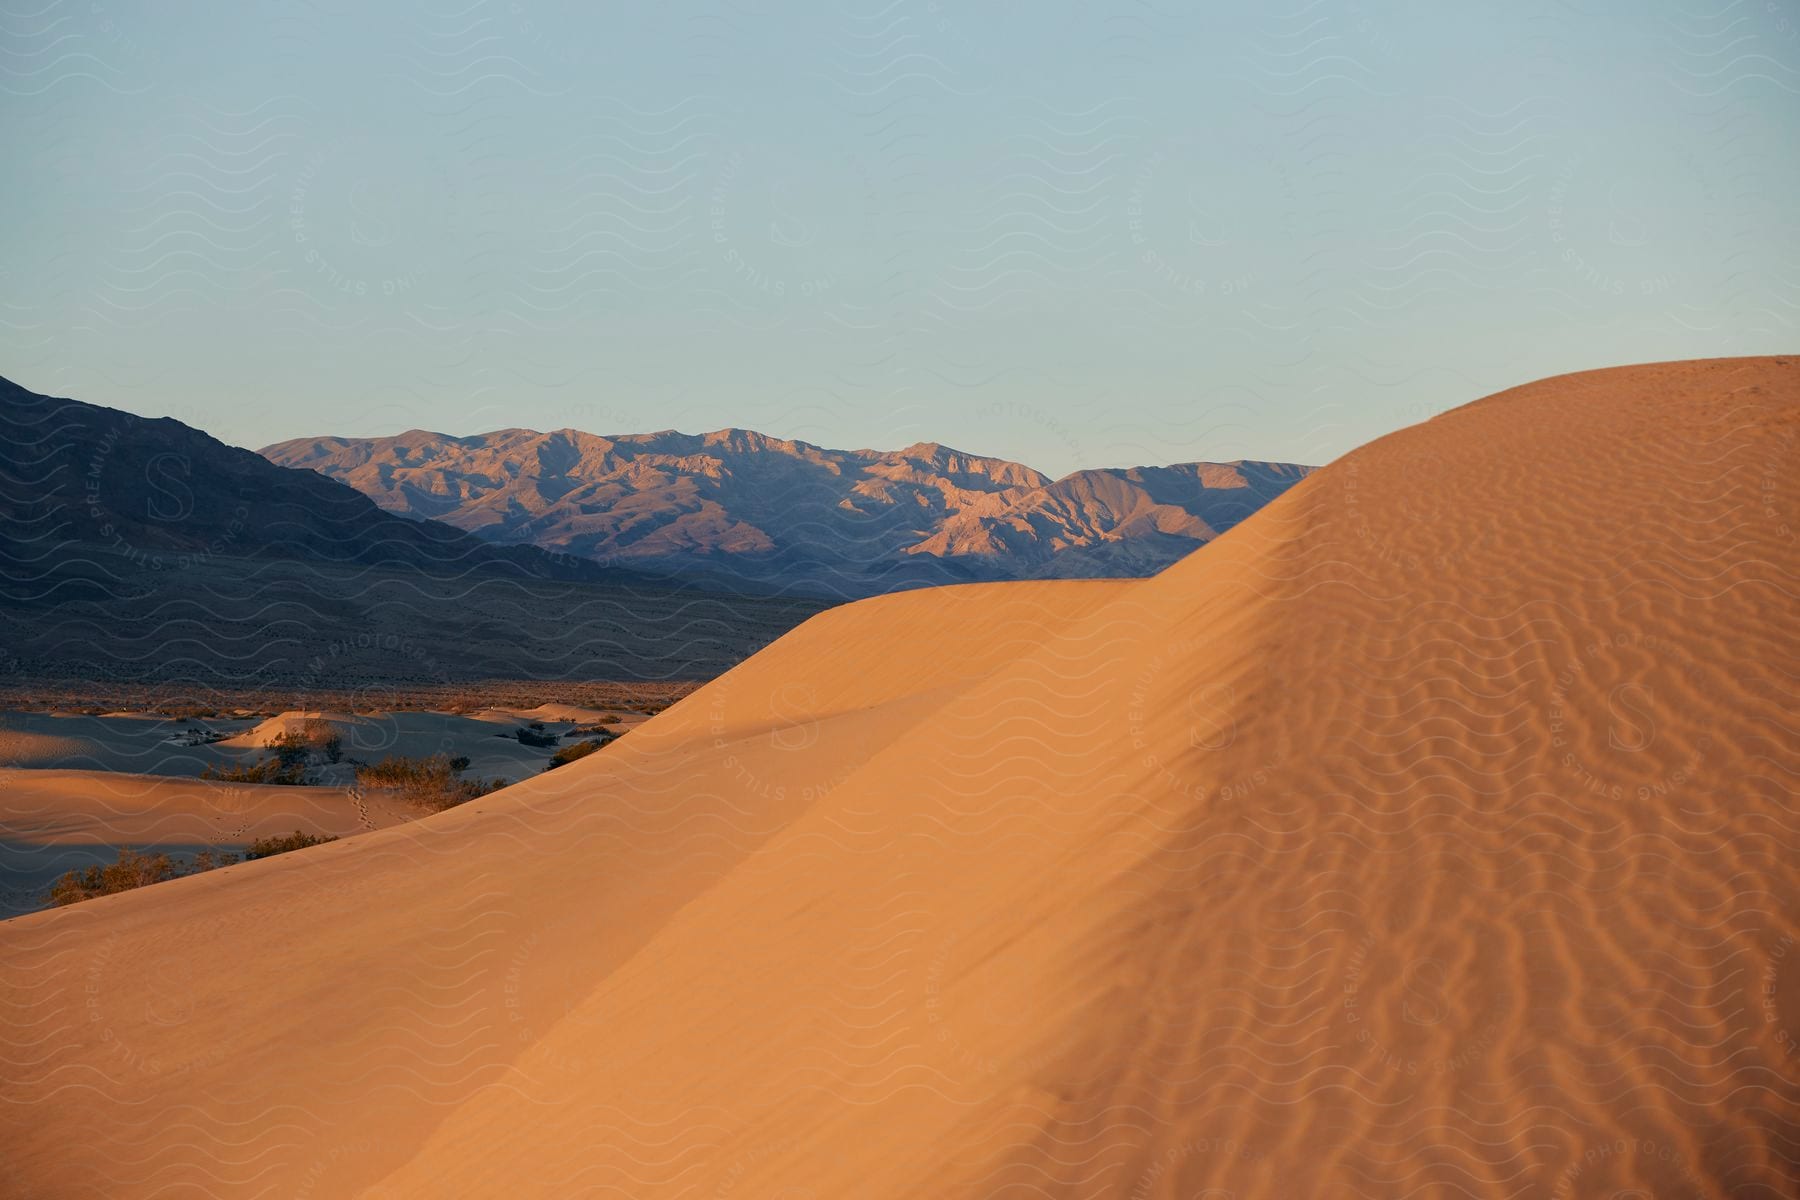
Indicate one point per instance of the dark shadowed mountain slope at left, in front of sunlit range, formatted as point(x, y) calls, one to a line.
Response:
point(143, 550)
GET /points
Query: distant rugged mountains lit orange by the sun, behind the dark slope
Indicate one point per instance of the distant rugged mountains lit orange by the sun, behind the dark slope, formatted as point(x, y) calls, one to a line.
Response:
point(750, 510)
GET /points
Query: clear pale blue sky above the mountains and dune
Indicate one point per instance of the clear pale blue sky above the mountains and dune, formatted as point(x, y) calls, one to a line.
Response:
point(1074, 235)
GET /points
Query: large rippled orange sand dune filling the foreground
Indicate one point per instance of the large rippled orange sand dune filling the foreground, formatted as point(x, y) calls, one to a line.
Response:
point(1430, 834)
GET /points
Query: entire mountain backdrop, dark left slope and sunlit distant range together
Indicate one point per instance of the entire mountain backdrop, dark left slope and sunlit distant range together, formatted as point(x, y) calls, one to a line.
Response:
point(141, 550)
